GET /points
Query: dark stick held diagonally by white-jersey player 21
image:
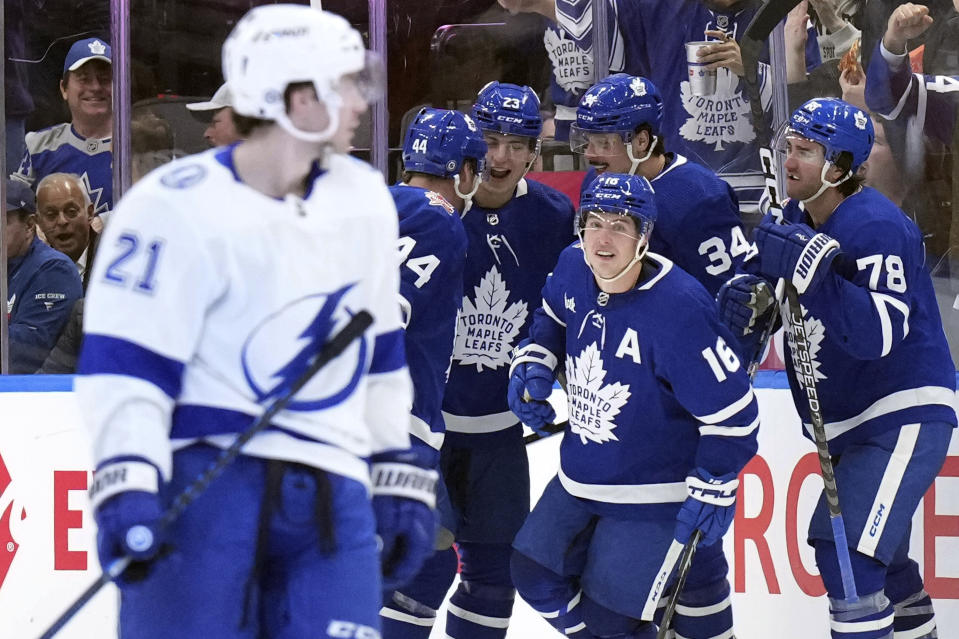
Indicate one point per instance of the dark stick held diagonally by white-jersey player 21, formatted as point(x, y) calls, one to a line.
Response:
point(337, 344)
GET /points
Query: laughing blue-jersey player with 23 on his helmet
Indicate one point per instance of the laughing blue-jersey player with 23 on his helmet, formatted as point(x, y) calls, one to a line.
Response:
point(515, 230)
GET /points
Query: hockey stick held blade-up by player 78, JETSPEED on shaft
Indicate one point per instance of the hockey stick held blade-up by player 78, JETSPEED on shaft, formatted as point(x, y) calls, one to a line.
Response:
point(762, 24)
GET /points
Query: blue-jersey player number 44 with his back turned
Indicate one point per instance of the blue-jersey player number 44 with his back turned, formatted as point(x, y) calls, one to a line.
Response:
point(443, 160)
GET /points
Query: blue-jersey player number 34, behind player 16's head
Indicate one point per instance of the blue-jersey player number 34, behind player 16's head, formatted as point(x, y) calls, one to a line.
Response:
point(619, 129)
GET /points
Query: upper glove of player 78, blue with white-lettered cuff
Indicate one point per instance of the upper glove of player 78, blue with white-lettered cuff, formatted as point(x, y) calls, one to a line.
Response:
point(795, 252)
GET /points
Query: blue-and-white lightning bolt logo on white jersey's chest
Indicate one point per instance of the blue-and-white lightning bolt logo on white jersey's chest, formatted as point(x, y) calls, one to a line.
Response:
point(282, 347)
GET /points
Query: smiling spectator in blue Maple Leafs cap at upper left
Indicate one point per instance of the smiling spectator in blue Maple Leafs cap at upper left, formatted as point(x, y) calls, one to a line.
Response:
point(81, 146)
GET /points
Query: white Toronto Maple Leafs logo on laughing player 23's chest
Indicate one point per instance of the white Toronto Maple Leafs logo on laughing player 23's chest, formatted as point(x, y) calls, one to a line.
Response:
point(488, 325)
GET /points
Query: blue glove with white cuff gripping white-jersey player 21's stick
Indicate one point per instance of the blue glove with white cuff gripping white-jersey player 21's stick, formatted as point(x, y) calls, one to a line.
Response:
point(127, 508)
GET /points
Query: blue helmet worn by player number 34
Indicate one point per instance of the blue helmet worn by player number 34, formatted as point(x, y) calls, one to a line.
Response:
point(619, 104)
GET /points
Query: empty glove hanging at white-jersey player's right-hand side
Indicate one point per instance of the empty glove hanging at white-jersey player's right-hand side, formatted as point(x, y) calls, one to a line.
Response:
point(404, 499)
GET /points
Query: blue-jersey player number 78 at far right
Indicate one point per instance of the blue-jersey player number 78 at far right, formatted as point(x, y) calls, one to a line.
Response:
point(885, 380)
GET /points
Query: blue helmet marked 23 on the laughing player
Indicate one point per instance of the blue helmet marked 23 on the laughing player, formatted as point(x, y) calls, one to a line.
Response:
point(508, 108)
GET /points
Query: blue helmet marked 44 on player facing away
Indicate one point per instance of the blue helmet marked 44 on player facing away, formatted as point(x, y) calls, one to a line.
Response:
point(439, 141)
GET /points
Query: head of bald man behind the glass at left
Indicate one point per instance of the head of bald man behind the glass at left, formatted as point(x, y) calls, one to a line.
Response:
point(65, 216)
